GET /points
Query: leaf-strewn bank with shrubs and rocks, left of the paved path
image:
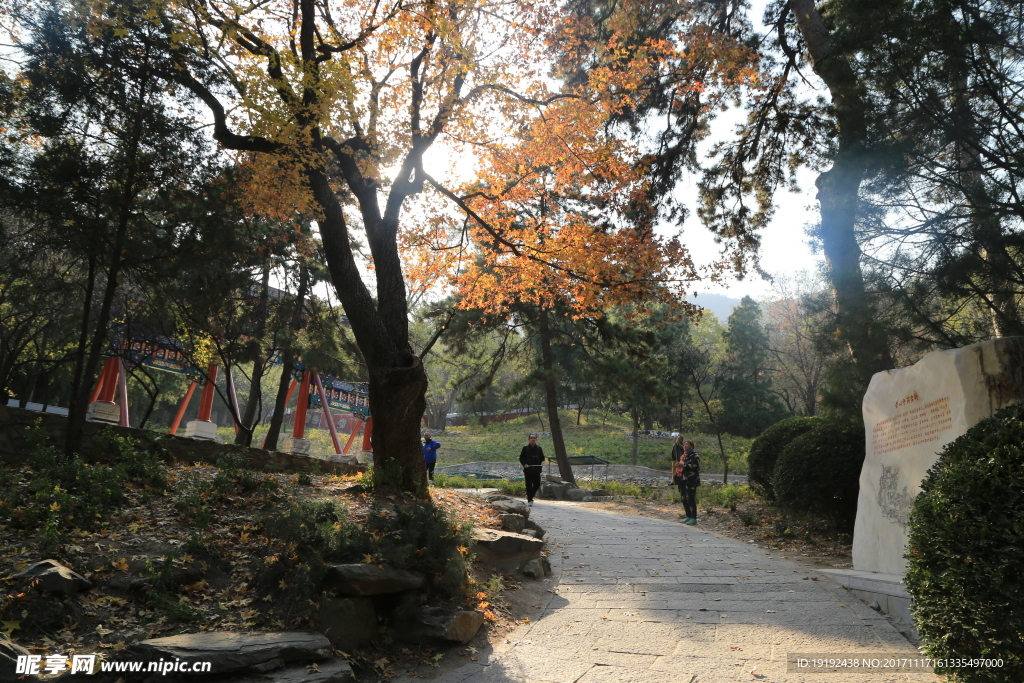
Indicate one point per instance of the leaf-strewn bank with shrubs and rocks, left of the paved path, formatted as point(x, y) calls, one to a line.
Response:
point(268, 577)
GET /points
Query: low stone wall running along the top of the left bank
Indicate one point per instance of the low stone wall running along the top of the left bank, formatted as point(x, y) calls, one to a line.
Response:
point(15, 449)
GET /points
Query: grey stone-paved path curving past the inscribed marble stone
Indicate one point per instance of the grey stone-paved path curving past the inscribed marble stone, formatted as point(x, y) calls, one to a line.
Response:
point(642, 601)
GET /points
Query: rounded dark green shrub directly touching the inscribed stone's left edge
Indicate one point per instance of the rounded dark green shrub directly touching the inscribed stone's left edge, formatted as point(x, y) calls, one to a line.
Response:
point(820, 473)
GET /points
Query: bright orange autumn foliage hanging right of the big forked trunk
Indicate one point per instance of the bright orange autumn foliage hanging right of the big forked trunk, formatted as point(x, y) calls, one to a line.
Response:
point(562, 211)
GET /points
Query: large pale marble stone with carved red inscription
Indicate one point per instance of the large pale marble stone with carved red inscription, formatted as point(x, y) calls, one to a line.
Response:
point(910, 415)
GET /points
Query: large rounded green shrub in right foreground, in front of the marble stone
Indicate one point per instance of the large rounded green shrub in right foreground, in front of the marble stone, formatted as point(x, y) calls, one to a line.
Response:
point(966, 550)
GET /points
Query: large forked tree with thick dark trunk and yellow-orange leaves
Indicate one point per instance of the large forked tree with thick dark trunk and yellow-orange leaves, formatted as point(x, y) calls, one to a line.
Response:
point(336, 99)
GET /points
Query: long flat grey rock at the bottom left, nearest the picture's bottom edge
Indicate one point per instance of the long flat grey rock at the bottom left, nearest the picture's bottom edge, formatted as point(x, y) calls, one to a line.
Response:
point(231, 653)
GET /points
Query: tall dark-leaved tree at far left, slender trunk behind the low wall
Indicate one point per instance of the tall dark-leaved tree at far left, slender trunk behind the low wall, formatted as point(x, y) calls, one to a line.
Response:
point(114, 154)
